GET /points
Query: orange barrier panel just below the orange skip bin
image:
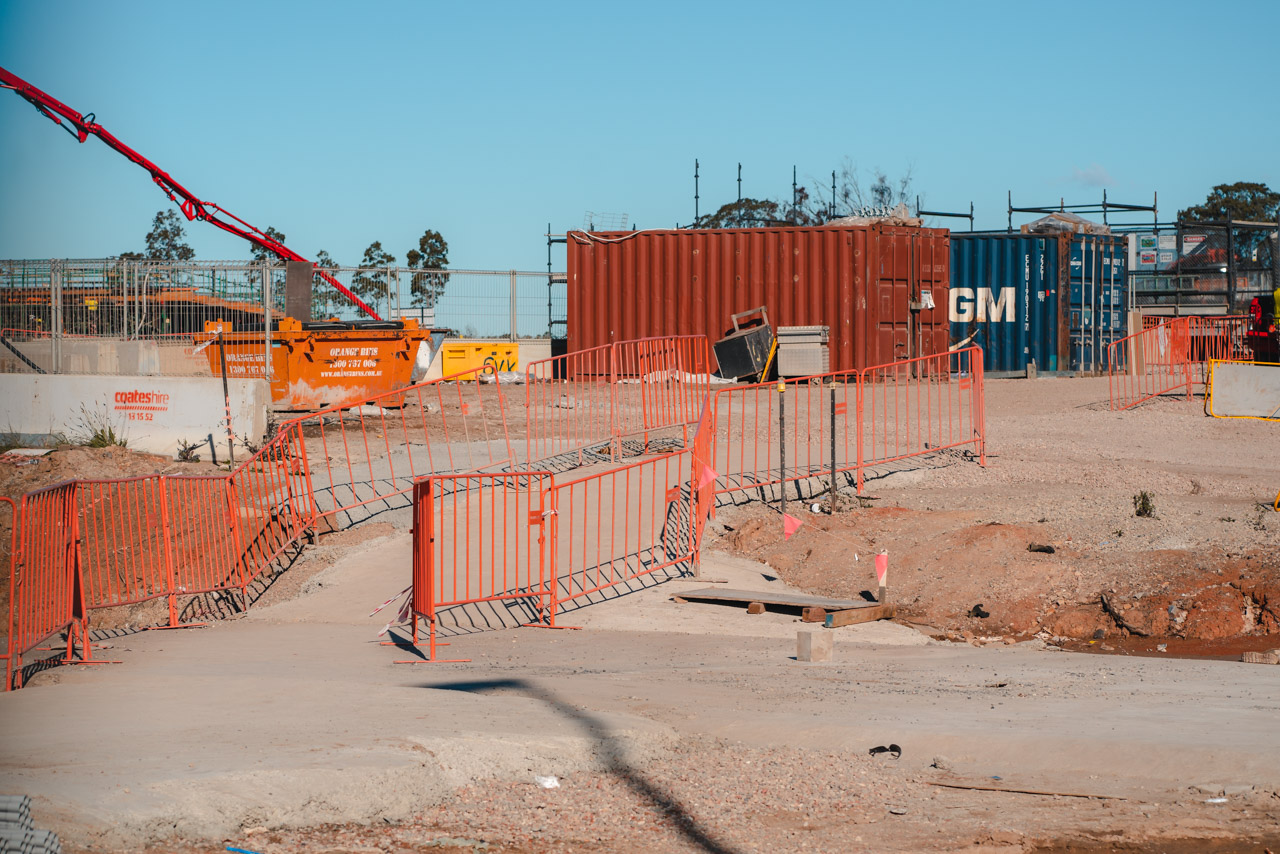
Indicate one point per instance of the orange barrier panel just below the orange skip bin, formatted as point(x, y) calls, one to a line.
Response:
point(364, 459)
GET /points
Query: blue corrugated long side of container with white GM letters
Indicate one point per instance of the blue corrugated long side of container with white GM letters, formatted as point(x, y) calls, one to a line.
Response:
point(1004, 294)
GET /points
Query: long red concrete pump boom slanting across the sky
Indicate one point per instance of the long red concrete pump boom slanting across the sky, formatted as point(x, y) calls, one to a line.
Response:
point(193, 208)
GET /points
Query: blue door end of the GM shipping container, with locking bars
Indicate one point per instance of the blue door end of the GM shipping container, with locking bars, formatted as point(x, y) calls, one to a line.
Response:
point(1098, 299)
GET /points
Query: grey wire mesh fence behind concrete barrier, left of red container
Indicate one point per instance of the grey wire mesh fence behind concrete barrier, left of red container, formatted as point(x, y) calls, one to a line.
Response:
point(125, 317)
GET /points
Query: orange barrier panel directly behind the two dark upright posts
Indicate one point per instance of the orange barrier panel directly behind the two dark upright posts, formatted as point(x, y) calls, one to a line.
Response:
point(765, 439)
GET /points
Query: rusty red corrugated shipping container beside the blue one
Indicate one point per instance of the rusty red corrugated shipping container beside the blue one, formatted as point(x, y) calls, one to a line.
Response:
point(872, 285)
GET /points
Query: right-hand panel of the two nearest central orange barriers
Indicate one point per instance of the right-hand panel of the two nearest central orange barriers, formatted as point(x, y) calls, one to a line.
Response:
point(621, 526)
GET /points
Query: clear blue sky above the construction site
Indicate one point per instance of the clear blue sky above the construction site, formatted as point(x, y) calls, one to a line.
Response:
point(341, 124)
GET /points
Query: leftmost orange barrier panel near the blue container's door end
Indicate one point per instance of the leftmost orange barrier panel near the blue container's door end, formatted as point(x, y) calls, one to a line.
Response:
point(1151, 363)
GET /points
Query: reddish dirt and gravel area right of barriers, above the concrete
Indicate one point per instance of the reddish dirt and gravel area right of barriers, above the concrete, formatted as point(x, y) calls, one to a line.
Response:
point(1203, 574)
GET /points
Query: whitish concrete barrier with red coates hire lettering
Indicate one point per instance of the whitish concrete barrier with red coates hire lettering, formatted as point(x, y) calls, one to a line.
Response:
point(153, 414)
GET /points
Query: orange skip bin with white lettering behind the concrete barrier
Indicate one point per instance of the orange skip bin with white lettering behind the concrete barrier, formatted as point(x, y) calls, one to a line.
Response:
point(323, 363)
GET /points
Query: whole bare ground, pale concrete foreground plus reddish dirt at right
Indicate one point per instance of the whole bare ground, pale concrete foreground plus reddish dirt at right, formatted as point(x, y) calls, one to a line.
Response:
point(693, 728)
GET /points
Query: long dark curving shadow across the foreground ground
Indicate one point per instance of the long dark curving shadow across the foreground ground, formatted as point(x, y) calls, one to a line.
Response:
point(660, 800)
